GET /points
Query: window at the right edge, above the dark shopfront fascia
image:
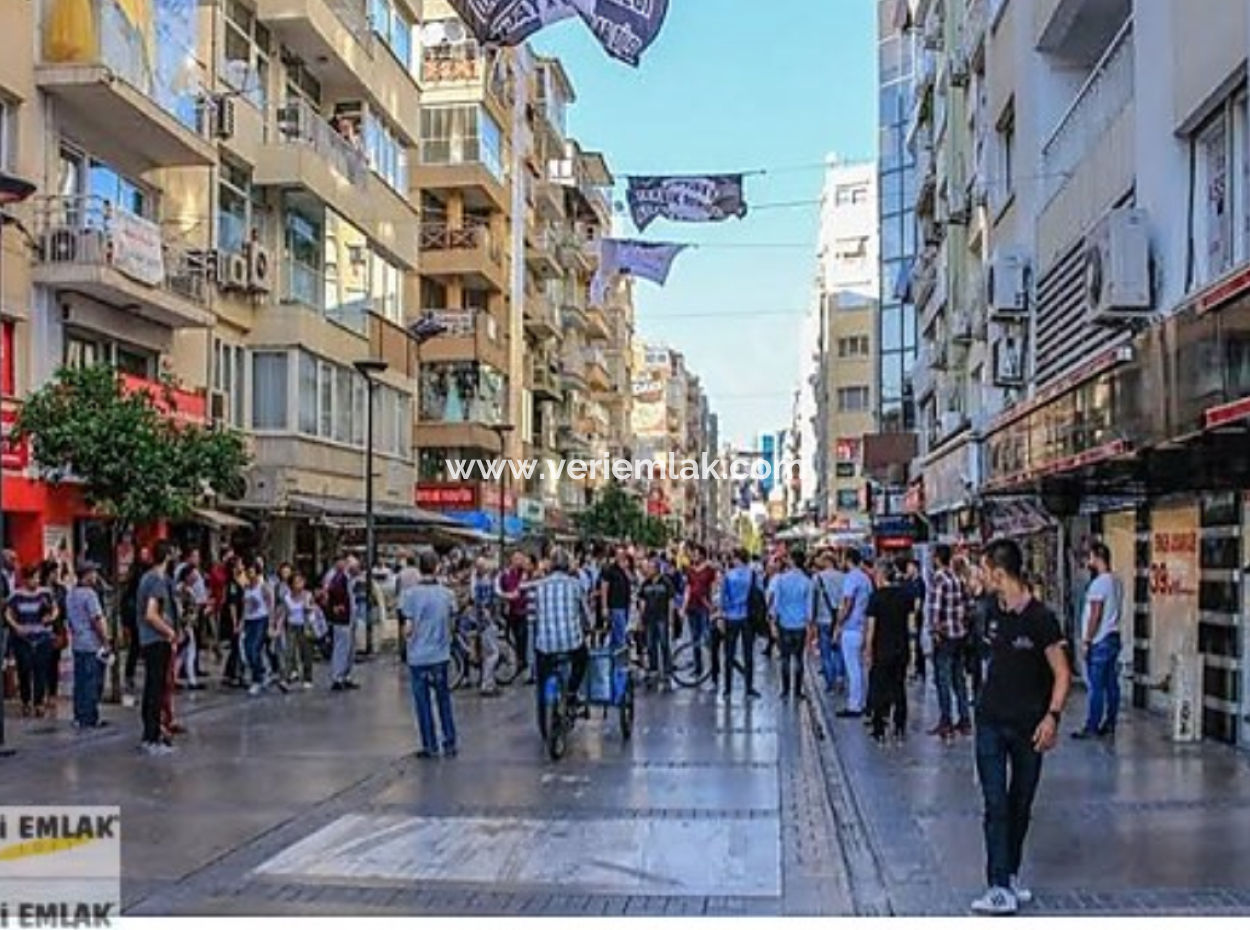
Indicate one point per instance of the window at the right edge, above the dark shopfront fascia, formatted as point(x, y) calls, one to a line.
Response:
point(1222, 192)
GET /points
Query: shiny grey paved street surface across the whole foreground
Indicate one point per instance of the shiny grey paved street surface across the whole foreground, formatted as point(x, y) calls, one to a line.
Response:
point(314, 804)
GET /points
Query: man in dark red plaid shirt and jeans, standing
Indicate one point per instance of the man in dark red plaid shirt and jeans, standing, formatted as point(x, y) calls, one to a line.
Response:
point(947, 619)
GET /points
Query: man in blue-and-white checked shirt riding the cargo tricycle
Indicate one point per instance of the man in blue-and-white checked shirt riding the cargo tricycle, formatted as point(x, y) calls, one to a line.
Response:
point(562, 617)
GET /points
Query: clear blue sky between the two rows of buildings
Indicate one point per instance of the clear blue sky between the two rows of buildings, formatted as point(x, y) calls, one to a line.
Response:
point(734, 86)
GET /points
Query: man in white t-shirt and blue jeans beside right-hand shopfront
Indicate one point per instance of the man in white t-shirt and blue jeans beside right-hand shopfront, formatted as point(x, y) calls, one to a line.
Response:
point(1101, 634)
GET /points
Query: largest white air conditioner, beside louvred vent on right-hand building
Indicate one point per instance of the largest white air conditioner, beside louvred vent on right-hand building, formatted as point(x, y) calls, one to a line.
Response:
point(1118, 269)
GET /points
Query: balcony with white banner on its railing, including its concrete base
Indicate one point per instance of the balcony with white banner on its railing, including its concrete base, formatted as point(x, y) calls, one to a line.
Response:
point(89, 247)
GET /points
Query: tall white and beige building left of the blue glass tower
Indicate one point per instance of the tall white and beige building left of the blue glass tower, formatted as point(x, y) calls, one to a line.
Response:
point(843, 359)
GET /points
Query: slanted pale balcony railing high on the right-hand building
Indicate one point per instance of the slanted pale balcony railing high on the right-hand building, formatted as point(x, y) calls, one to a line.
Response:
point(1107, 94)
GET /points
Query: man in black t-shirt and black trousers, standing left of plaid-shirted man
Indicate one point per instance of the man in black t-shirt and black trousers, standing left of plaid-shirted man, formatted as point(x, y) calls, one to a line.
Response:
point(886, 652)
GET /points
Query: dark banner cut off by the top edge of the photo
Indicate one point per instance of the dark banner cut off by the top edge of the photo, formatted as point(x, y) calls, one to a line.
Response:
point(624, 28)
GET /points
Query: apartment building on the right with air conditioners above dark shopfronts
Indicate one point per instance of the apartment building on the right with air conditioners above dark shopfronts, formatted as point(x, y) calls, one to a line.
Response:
point(1093, 334)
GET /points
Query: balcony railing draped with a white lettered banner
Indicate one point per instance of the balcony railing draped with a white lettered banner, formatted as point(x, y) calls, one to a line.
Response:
point(92, 232)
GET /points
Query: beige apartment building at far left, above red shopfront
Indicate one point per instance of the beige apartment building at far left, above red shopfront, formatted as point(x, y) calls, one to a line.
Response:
point(223, 199)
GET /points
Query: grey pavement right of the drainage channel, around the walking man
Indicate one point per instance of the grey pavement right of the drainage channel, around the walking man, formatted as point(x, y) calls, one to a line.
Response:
point(1139, 826)
